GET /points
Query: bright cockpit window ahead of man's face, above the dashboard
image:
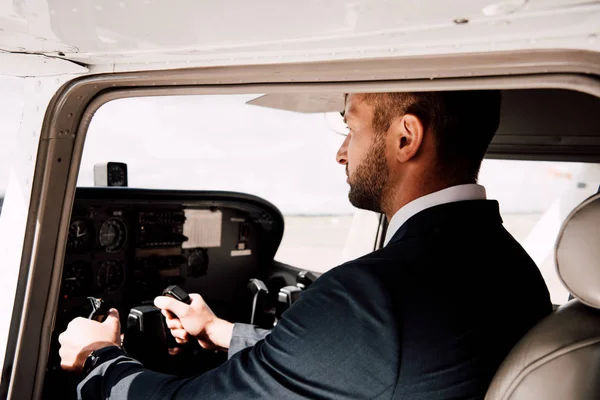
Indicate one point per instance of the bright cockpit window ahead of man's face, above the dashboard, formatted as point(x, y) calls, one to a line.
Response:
point(222, 143)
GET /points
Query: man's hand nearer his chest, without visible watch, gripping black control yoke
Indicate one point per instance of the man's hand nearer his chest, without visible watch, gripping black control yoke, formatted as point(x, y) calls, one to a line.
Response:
point(196, 320)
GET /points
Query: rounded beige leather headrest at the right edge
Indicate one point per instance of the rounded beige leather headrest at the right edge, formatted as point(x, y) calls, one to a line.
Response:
point(577, 252)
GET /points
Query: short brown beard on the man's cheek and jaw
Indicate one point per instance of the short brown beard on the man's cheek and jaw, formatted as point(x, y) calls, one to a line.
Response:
point(368, 182)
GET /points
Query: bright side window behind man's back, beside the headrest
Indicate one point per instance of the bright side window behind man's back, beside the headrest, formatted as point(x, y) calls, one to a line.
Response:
point(535, 198)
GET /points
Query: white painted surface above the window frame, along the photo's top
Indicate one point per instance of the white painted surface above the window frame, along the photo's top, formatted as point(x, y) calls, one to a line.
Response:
point(196, 33)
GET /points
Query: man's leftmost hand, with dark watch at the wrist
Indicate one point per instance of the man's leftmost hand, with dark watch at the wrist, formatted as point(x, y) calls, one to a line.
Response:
point(84, 336)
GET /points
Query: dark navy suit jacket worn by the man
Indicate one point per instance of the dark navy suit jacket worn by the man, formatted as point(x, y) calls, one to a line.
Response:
point(429, 316)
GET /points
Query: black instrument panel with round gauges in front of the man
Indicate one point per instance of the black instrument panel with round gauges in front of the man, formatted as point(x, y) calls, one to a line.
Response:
point(127, 245)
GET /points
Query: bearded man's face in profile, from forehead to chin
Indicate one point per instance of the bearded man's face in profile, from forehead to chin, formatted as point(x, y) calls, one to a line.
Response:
point(364, 155)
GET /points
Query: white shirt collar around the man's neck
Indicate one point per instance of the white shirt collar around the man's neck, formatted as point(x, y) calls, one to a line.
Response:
point(449, 195)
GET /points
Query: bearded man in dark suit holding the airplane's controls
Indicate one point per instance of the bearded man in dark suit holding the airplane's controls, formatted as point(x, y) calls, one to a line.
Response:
point(431, 315)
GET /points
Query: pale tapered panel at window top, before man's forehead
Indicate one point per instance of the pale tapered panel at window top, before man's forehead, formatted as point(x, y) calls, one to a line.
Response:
point(302, 102)
